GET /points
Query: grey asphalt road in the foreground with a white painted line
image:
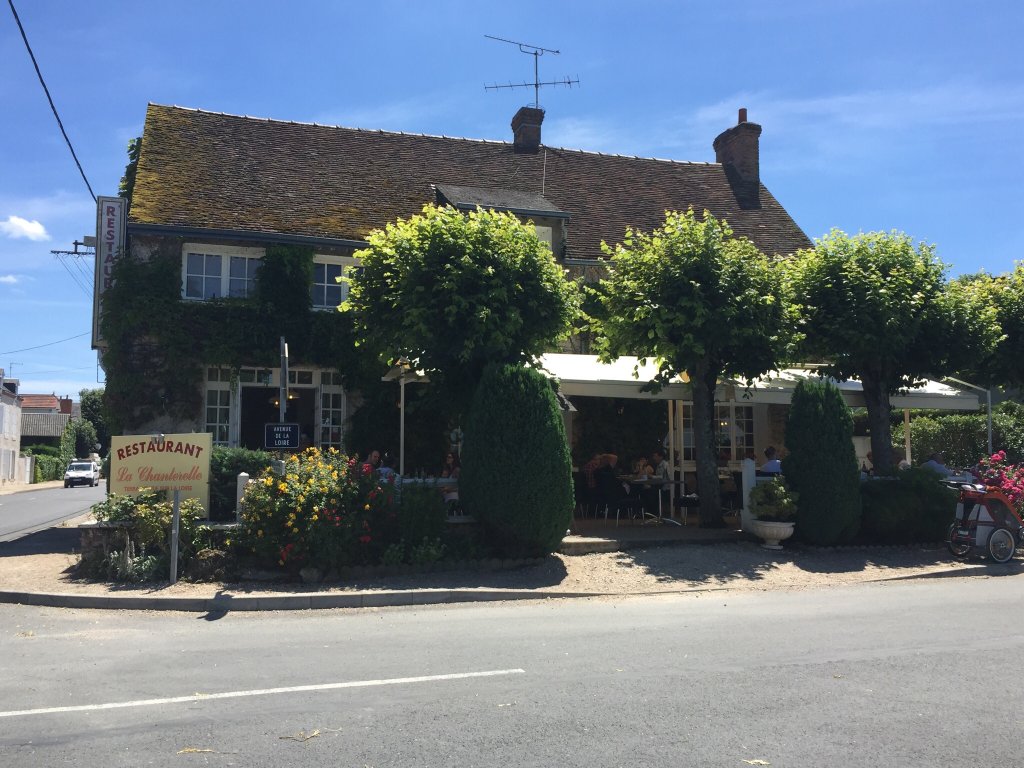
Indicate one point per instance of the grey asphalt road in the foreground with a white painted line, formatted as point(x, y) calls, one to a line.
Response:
point(917, 674)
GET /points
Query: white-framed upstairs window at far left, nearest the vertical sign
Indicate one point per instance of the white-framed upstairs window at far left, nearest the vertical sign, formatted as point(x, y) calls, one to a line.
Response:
point(210, 272)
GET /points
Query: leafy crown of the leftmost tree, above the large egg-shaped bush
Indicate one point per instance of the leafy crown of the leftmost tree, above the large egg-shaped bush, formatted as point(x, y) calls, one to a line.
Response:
point(454, 292)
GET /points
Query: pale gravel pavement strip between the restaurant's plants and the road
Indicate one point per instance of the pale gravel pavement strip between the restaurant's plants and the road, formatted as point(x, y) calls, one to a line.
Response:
point(681, 568)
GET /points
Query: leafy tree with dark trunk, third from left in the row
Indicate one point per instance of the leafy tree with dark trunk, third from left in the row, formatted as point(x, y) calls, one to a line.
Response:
point(878, 308)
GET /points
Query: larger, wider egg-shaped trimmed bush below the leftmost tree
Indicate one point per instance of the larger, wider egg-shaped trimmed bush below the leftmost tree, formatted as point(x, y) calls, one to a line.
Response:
point(517, 474)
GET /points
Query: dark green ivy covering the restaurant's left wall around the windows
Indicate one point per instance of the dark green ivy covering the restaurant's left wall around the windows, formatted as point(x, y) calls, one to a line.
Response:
point(159, 345)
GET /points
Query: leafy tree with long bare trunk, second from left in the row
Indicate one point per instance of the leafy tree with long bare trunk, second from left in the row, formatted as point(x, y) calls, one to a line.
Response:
point(700, 303)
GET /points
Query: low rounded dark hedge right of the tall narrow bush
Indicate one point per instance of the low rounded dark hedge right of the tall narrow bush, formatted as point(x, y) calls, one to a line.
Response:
point(914, 506)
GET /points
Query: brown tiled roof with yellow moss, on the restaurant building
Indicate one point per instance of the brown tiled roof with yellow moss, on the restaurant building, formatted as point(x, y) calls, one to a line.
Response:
point(209, 170)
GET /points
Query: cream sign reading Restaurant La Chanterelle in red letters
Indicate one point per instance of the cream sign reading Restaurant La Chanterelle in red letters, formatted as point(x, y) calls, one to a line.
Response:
point(170, 462)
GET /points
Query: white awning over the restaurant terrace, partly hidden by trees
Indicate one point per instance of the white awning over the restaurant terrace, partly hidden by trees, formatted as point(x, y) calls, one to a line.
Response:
point(584, 375)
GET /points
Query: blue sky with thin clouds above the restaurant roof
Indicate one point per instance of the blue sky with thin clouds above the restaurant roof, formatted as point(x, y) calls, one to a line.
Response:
point(877, 114)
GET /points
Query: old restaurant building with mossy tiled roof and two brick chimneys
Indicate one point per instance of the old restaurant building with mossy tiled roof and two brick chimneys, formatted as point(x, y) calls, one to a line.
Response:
point(215, 193)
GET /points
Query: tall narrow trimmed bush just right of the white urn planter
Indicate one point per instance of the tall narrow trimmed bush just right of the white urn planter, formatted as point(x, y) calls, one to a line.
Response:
point(822, 465)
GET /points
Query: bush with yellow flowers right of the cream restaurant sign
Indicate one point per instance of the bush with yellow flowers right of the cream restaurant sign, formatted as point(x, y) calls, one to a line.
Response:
point(326, 511)
